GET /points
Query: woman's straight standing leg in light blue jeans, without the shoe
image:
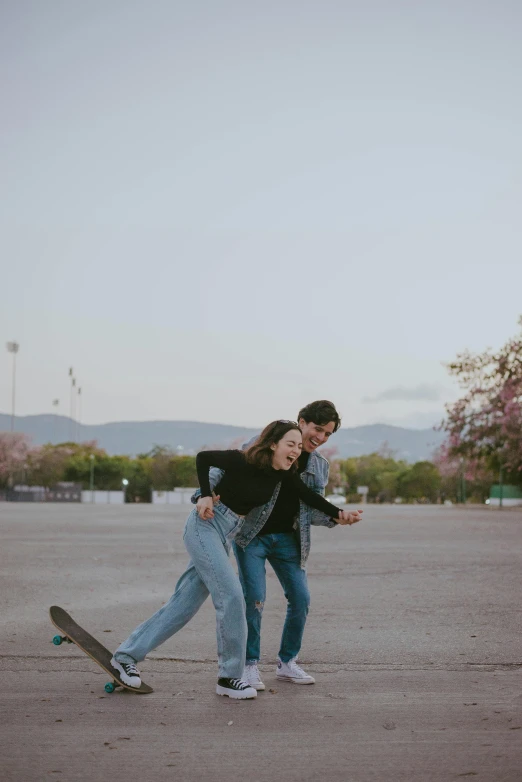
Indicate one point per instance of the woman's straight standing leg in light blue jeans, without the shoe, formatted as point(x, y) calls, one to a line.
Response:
point(206, 542)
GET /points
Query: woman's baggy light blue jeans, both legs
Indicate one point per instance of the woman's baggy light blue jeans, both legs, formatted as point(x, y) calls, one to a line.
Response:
point(209, 572)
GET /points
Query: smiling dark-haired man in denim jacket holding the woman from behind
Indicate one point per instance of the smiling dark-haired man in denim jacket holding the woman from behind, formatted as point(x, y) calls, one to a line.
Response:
point(280, 533)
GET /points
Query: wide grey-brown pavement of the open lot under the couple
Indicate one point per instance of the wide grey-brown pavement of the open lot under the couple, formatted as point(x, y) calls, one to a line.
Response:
point(414, 638)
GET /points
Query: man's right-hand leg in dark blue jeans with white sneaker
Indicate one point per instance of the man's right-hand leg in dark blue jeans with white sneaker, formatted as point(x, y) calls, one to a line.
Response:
point(285, 558)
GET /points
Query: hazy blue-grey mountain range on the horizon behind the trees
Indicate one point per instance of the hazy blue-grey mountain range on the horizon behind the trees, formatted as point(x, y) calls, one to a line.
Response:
point(133, 437)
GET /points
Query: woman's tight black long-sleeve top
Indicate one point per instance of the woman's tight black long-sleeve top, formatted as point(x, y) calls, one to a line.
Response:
point(245, 486)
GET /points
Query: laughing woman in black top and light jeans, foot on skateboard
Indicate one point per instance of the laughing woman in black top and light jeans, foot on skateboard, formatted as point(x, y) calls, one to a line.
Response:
point(249, 481)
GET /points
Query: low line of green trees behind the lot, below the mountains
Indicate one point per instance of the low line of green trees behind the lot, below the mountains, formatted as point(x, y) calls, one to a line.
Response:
point(386, 477)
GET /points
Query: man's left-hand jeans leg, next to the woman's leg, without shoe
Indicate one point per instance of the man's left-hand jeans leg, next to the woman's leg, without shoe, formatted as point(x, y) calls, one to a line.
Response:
point(252, 574)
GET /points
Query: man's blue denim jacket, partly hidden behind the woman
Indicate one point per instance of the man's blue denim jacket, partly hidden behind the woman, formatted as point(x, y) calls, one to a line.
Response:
point(315, 477)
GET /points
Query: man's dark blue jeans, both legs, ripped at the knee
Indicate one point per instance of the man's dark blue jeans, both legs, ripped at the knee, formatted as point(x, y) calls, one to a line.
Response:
point(283, 552)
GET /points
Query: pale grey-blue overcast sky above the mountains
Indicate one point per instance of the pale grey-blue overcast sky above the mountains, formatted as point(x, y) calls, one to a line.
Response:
point(221, 211)
